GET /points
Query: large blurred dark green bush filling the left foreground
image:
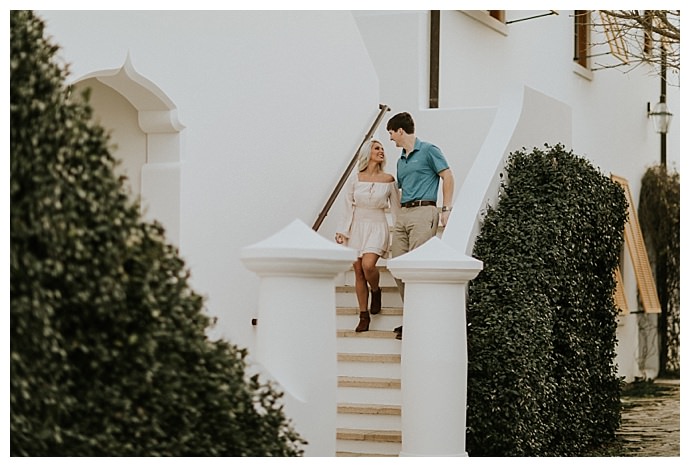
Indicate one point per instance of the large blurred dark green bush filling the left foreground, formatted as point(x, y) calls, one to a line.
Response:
point(109, 355)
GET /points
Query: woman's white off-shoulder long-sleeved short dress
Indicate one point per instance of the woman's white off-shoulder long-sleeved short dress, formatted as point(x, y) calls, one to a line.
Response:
point(364, 222)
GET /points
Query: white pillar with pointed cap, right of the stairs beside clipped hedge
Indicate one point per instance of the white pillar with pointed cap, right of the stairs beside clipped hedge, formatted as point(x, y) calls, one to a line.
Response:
point(434, 348)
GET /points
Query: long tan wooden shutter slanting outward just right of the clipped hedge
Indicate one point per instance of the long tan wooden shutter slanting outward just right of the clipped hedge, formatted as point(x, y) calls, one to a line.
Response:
point(634, 244)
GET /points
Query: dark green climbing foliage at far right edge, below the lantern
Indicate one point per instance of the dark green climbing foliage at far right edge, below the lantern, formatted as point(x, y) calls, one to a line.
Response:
point(659, 215)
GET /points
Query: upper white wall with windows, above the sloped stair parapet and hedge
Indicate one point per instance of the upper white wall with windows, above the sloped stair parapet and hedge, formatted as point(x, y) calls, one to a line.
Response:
point(478, 63)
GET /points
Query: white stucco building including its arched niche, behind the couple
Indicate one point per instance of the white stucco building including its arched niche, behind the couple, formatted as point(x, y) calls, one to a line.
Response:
point(234, 124)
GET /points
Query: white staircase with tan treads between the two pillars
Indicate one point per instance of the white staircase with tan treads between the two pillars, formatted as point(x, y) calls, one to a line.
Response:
point(369, 399)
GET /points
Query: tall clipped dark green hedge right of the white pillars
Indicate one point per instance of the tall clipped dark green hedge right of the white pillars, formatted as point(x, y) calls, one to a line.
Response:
point(541, 317)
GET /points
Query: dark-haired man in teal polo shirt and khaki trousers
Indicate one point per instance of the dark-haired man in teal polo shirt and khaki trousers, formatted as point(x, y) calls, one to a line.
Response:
point(421, 167)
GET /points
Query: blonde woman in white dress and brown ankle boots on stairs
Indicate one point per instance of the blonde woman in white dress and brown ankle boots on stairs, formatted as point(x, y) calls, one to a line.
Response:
point(365, 227)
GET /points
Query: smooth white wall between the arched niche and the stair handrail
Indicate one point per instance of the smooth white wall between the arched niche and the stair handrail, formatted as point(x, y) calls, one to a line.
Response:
point(271, 121)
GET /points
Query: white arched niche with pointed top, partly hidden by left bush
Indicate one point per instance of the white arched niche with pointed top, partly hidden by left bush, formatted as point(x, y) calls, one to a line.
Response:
point(145, 137)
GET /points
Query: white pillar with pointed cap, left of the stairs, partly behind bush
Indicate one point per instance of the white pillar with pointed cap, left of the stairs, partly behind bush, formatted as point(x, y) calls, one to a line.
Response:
point(296, 331)
